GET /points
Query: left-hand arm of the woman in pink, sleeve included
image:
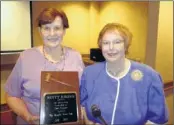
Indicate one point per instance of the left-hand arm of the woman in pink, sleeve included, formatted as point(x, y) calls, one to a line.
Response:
point(13, 88)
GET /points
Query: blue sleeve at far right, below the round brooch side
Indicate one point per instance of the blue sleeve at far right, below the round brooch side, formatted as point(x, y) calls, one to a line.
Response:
point(157, 110)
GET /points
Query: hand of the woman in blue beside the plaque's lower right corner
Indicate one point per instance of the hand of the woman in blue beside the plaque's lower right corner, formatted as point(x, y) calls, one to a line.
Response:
point(85, 118)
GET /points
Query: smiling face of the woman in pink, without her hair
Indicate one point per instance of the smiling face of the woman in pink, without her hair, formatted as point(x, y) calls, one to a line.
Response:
point(52, 33)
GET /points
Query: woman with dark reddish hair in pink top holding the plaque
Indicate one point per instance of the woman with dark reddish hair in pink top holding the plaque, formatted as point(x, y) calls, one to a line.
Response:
point(23, 85)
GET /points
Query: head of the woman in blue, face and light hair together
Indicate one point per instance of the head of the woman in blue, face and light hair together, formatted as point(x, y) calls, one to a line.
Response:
point(114, 40)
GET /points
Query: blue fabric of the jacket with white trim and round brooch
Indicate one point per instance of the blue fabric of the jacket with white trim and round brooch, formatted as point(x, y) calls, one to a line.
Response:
point(138, 100)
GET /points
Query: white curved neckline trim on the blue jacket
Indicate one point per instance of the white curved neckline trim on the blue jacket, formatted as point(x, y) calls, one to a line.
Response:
point(122, 76)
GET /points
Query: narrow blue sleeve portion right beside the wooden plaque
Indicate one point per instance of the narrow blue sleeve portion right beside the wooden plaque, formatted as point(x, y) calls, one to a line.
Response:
point(83, 90)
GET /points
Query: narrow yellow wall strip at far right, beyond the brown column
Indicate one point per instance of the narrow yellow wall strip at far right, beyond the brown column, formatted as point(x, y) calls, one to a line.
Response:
point(164, 53)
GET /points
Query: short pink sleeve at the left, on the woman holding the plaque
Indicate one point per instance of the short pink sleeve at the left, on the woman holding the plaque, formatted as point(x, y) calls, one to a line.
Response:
point(14, 81)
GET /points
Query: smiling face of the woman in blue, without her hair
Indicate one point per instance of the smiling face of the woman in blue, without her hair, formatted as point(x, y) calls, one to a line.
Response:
point(112, 45)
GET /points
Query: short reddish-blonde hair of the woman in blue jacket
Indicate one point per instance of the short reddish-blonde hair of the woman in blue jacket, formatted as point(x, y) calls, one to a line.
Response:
point(123, 30)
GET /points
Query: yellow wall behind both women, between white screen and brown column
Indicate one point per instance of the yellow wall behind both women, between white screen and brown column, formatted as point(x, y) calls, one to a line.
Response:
point(87, 18)
